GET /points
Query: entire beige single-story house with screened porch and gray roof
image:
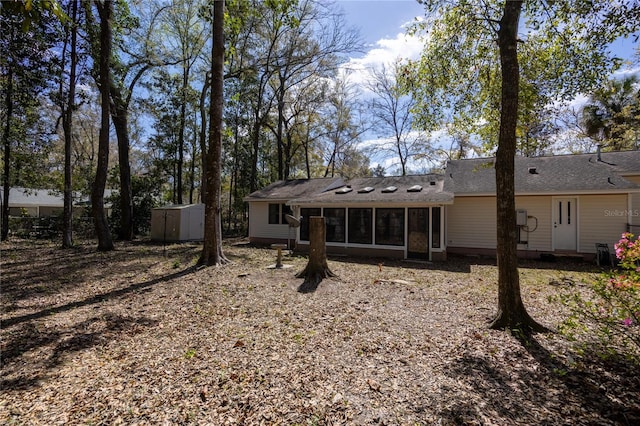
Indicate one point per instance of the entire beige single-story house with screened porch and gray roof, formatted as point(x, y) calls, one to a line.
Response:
point(567, 204)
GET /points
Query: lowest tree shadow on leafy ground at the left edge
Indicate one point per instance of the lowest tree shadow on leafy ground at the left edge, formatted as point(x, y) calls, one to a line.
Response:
point(49, 349)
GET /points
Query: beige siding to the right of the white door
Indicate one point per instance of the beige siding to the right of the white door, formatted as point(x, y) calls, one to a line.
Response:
point(602, 219)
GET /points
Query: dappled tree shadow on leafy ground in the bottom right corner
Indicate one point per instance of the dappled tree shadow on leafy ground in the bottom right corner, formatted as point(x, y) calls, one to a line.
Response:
point(536, 387)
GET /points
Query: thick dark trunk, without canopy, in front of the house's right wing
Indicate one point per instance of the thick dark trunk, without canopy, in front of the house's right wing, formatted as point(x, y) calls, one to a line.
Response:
point(511, 311)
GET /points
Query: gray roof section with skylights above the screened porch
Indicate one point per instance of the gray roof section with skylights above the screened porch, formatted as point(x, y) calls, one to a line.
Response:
point(424, 189)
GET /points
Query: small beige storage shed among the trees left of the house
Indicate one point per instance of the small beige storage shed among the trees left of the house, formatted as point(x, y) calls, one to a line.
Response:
point(183, 222)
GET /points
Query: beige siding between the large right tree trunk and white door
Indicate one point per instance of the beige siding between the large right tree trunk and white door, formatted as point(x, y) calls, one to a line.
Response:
point(539, 222)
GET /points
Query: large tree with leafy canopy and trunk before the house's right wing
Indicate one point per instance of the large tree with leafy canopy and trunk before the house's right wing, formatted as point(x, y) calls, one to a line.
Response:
point(456, 75)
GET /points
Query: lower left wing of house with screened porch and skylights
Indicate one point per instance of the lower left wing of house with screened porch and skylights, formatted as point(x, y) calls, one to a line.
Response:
point(388, 216)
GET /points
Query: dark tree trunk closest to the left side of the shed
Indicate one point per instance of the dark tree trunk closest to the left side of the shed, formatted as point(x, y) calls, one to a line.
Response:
point(120, 118)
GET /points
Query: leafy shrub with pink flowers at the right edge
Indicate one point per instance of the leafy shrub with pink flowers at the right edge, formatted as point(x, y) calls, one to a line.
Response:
point(607, 319)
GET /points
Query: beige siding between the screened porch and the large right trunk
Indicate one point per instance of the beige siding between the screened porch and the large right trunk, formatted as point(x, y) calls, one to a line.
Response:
point(471, 222)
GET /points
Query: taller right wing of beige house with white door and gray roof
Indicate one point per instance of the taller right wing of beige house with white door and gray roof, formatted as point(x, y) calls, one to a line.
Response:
point(566, 204)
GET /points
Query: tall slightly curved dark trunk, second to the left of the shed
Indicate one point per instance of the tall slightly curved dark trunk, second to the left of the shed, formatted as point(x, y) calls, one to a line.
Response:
point(105, 243)
